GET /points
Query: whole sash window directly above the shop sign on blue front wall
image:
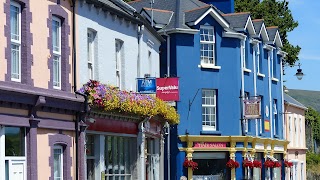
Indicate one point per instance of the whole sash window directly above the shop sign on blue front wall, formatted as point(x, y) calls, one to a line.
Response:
point(209, 110)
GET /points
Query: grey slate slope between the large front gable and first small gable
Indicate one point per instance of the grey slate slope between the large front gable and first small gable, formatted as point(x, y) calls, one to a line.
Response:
point(237, 20)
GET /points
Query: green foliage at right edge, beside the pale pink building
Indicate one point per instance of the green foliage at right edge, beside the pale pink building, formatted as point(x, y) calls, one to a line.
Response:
point(313, 119)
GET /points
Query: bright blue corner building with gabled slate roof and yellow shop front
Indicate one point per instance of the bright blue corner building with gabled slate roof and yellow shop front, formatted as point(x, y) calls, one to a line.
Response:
point(231, 104)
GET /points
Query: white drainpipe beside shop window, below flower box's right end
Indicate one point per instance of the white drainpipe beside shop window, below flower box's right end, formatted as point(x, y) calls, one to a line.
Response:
point(141, 146)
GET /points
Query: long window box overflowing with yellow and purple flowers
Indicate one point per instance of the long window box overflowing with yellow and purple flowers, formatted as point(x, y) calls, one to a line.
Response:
point(108, 99)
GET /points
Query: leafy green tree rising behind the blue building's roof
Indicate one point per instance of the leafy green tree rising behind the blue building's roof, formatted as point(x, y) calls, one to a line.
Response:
point(274, 13)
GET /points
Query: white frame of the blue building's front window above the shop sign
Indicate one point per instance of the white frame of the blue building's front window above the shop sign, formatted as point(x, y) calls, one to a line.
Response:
point(214, 106)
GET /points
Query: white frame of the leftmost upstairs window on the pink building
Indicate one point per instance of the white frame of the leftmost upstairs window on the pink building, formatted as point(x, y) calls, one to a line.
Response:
point(16, 42)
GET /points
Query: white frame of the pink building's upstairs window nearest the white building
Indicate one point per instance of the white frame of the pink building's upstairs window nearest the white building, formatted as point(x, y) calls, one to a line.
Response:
point(57, 54)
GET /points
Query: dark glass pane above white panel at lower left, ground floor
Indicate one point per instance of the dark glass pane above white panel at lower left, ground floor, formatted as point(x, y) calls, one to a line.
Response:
point(15, 141)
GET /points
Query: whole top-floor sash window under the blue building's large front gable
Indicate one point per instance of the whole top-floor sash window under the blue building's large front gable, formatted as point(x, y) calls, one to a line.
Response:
point(207, 43)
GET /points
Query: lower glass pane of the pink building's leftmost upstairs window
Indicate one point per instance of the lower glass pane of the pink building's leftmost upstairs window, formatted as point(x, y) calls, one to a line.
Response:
point(15, 61)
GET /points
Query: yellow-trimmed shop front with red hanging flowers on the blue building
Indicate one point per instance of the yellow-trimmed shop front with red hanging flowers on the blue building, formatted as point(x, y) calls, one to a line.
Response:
point(233, 157)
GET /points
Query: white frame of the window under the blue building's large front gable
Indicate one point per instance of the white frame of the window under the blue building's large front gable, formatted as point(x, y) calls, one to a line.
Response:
point(213, 42)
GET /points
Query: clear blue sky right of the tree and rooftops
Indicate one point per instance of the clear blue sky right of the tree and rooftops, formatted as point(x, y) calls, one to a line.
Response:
point(307, 13)
